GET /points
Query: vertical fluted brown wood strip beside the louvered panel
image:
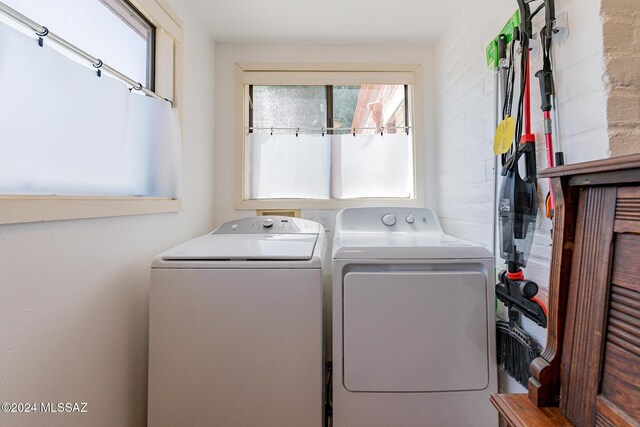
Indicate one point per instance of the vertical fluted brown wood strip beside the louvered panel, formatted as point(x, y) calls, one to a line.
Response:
point(588, 294)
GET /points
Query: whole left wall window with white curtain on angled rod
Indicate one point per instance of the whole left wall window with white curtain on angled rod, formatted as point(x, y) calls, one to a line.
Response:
point(91, 147)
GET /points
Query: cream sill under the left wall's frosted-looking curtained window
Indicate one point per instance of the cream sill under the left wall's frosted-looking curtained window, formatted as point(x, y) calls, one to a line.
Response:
point(22, 209)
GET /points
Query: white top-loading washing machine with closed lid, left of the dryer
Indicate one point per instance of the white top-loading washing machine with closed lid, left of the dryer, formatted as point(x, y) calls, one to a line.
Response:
point(236, 330)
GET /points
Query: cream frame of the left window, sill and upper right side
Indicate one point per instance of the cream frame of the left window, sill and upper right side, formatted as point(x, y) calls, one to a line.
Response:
point(168, 80)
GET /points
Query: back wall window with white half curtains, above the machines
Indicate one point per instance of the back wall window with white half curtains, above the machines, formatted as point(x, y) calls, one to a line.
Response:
point(349, 140)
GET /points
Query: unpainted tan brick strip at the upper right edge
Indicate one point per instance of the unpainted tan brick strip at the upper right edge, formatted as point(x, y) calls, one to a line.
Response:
point(621, 28)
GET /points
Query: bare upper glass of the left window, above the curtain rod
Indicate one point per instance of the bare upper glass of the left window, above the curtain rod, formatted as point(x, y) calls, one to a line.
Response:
point(110, 30)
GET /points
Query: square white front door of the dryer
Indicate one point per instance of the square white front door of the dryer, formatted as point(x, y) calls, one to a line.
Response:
point(415, 331)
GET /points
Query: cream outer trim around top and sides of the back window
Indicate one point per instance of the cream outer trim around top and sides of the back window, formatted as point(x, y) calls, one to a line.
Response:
point(228, 54)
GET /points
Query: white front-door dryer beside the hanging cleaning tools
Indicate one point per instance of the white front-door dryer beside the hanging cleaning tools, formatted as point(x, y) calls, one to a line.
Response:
point(413, 323)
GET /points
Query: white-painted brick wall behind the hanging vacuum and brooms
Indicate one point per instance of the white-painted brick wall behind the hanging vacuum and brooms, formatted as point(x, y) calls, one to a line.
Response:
point(465, 118)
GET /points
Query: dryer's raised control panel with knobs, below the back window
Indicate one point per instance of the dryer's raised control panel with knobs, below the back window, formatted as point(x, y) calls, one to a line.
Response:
point(368, 220)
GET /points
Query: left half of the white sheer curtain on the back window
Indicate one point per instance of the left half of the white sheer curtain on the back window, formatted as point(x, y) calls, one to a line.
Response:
point(289, 167)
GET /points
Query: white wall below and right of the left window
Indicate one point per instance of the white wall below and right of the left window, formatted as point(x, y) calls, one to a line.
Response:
point(74, 294)
